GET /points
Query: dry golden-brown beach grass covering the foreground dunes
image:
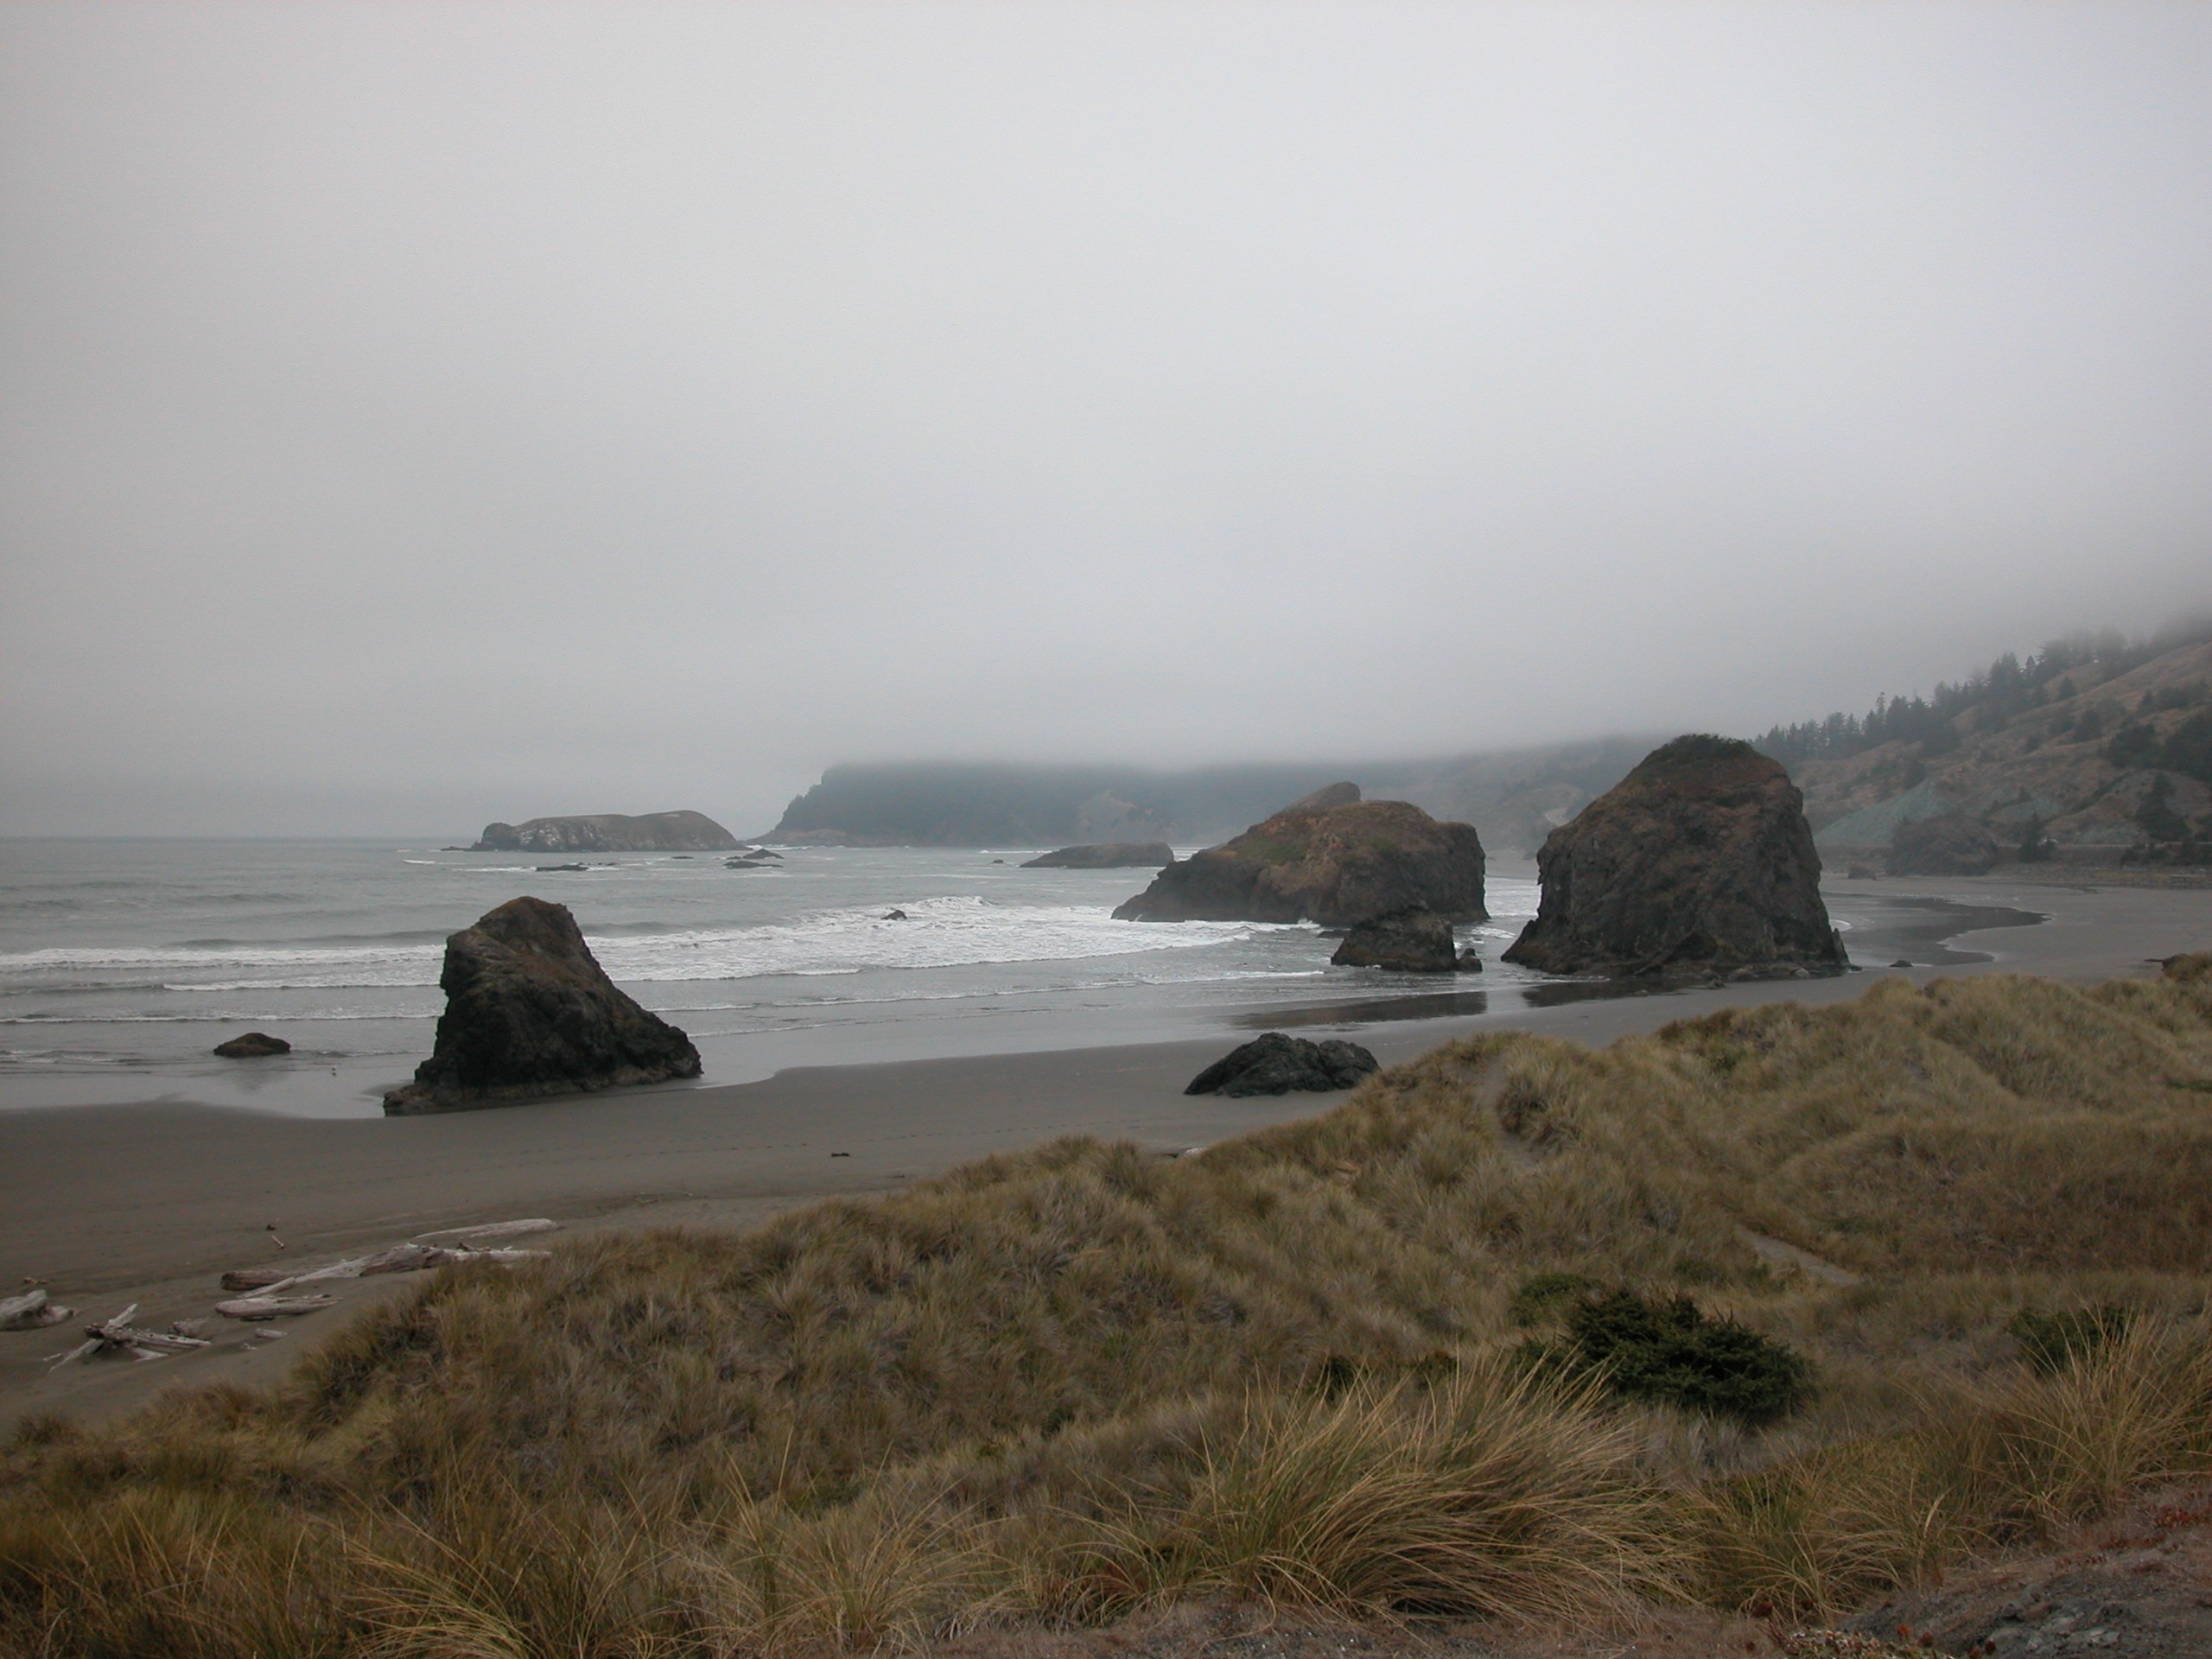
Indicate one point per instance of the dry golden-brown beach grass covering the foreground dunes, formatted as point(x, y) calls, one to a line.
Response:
point(1085, 1381)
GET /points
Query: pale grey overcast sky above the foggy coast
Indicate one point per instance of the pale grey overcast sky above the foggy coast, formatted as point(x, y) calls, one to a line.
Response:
point(419, 415)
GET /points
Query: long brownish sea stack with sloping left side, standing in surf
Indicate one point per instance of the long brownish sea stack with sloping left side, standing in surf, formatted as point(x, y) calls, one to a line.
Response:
point(1328, 859)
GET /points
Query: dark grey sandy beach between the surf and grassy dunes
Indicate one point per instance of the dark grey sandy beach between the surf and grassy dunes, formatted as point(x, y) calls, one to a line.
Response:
point(154, 1202)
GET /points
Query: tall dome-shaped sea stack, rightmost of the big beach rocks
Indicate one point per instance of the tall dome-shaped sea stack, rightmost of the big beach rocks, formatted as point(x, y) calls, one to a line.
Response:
point(1700, 862)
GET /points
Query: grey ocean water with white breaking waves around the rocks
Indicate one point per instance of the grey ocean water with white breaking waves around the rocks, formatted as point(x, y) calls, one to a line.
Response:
point(123, 963)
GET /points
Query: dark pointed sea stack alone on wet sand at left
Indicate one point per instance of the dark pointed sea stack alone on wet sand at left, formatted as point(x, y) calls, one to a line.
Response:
point(528, 1014)
